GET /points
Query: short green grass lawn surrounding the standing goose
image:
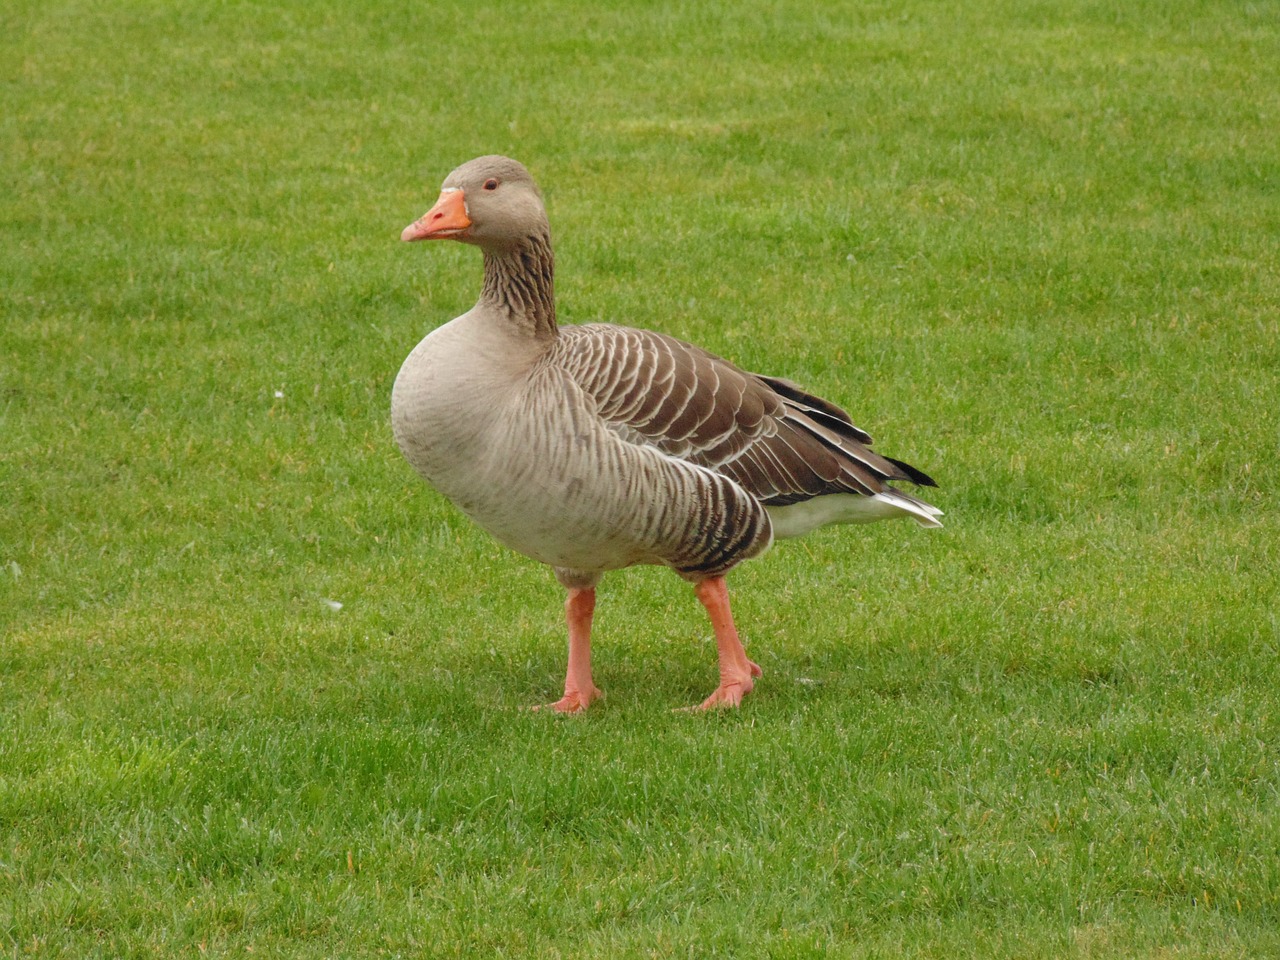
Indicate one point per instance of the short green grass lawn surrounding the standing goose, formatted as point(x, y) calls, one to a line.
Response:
point(1031, 246)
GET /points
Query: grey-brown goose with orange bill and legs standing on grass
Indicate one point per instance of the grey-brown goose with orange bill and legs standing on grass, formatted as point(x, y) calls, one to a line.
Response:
point(597, 447)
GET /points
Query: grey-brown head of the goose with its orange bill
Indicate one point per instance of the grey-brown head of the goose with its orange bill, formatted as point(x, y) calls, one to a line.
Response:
point(491, 202)
